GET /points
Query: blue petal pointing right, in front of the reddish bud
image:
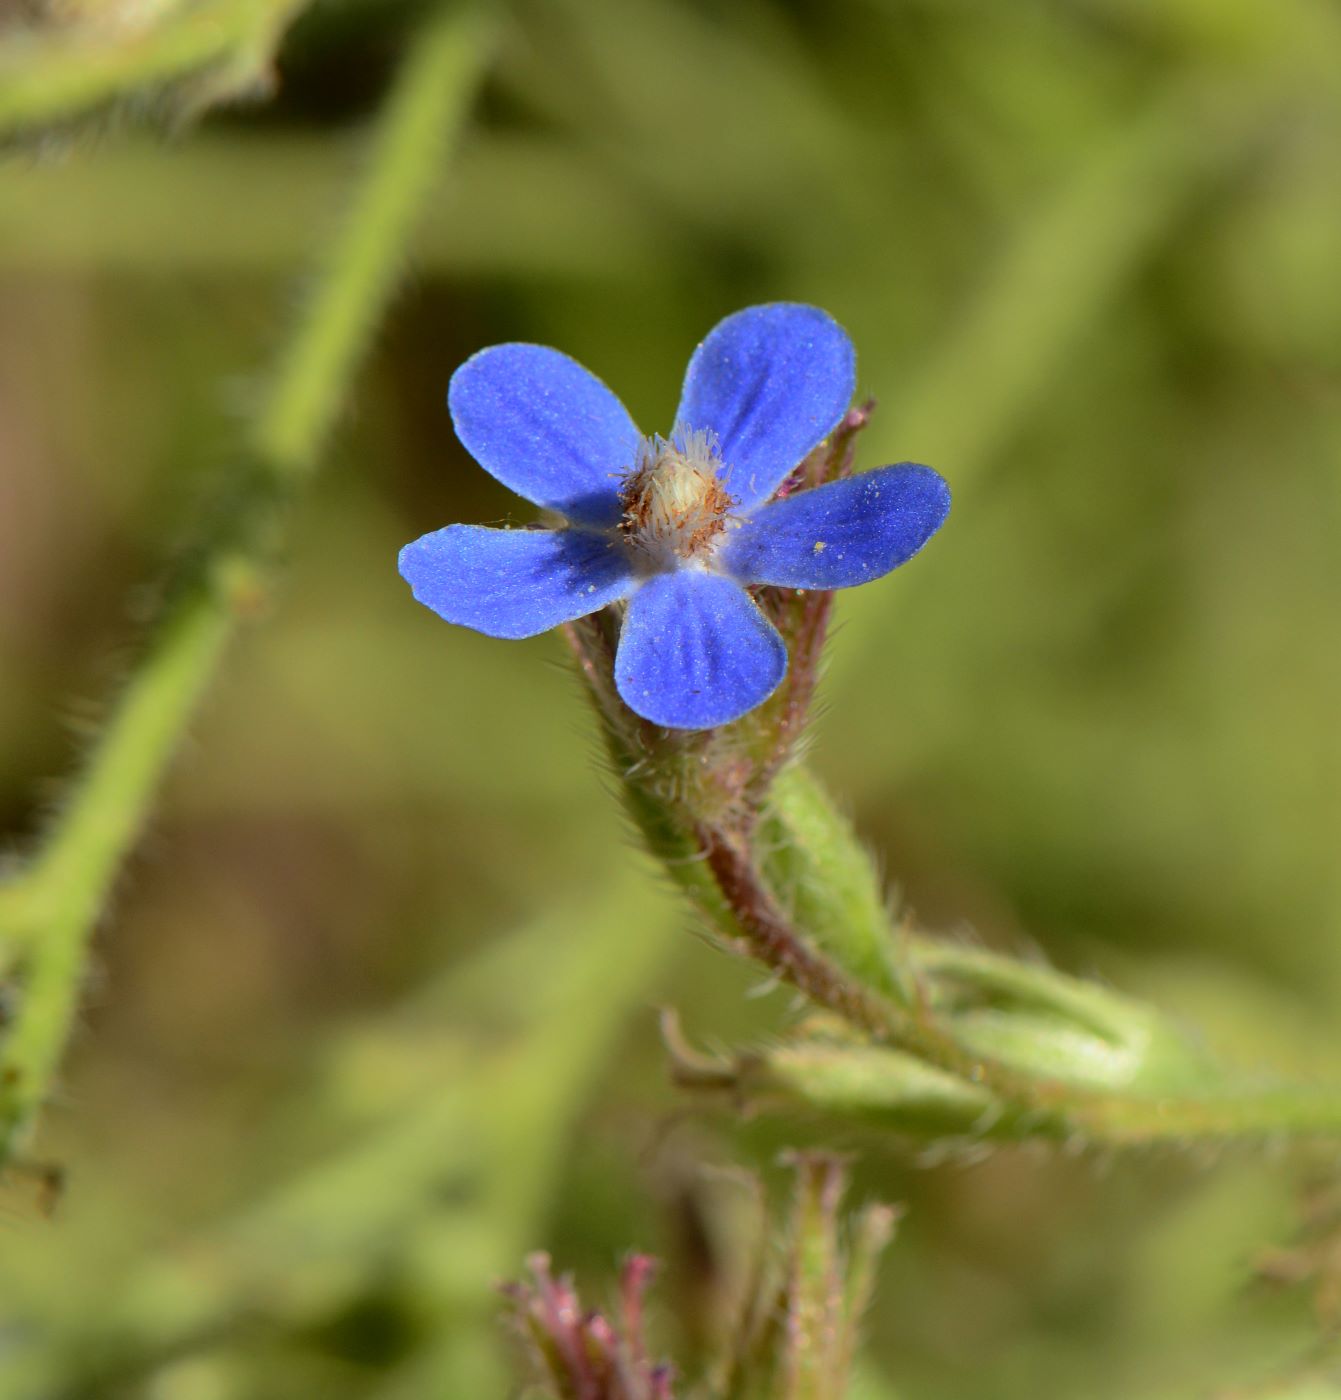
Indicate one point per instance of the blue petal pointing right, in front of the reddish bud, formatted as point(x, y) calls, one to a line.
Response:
point(842, 534)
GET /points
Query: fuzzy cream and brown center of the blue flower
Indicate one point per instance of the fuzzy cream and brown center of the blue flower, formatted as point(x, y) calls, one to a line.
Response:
point(675, 505)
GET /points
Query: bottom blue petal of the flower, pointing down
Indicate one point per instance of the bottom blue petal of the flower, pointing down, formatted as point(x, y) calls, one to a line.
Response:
point(695, 652)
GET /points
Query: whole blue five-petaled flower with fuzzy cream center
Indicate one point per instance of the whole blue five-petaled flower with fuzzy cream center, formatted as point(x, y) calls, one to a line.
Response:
point(678, 528)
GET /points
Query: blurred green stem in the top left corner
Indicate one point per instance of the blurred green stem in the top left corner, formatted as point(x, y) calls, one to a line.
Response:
point(57, 79)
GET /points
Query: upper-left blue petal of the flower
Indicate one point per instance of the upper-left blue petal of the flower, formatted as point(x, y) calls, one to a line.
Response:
point(545, 428)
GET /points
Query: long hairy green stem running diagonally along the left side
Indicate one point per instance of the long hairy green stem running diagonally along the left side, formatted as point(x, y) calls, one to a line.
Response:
point(55, 908)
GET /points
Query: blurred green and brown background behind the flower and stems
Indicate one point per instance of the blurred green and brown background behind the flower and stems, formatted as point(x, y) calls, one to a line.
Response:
point(374, 1010)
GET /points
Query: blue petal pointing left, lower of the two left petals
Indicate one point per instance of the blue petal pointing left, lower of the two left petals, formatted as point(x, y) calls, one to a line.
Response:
point(514, 583)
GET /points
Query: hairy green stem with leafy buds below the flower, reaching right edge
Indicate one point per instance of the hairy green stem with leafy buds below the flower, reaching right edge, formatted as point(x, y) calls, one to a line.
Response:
point(979, 1045)
